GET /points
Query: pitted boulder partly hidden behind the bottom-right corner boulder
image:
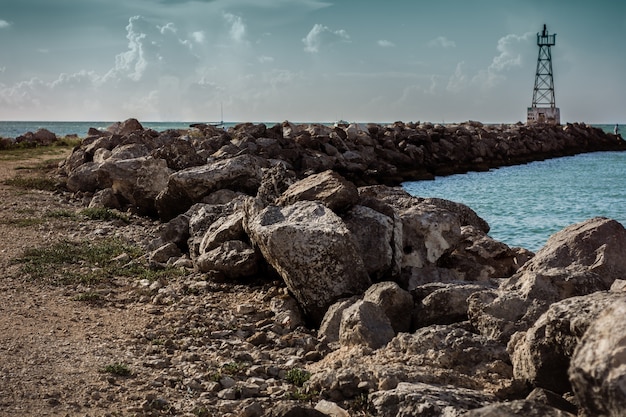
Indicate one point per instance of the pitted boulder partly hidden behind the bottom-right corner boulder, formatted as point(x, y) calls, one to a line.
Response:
point(541, 355)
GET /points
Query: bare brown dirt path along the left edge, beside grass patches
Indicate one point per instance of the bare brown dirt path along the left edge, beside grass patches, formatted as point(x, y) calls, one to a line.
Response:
point(52, 348)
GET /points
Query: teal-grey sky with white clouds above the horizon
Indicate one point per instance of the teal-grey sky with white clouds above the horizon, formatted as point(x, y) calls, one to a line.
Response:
point(307, 60)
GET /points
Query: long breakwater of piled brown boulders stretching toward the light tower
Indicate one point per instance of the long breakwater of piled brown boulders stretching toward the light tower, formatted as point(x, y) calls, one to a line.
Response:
point(417, 310)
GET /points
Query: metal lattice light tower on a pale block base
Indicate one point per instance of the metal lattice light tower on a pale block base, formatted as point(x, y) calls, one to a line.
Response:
point(543, 108)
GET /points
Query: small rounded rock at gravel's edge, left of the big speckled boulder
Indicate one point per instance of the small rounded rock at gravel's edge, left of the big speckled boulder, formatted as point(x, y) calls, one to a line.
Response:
point(233, 258)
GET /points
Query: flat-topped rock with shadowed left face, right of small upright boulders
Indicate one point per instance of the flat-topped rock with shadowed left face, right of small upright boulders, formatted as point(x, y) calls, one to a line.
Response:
point(443, 303)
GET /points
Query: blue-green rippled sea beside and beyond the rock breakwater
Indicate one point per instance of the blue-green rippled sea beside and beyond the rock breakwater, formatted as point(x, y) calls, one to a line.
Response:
point(524, 204)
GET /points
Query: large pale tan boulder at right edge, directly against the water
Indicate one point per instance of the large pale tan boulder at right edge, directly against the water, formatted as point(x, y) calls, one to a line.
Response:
point(578, 260)
